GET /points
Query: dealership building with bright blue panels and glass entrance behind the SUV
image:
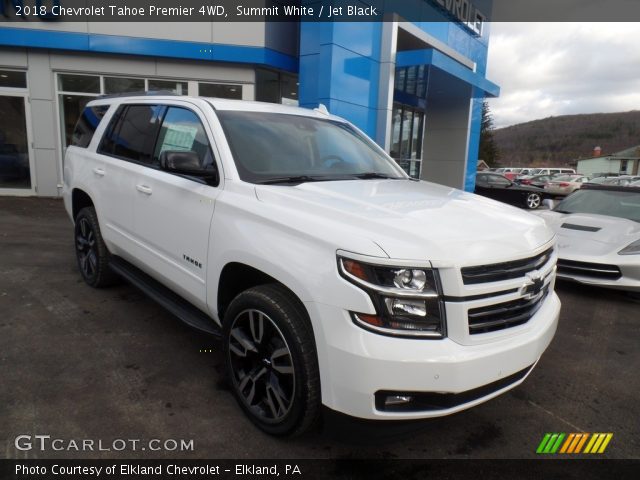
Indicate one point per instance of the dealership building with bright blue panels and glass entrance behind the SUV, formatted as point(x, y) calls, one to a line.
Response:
point(416, 88)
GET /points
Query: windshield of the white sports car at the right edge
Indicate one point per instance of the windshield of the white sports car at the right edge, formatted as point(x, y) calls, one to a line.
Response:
point(614, 203)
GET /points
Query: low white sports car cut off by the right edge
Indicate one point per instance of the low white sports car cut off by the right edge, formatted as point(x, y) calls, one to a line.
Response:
point(598, 230)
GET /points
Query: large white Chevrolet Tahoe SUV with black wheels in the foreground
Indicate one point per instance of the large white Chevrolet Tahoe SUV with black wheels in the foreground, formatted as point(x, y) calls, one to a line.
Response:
point(330, 276)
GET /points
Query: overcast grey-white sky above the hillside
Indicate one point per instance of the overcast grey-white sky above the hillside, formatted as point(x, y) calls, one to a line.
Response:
point(551, 69)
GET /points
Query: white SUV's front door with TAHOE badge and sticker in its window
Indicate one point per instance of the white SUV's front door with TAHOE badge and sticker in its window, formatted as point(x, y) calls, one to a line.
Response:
point(173, 212)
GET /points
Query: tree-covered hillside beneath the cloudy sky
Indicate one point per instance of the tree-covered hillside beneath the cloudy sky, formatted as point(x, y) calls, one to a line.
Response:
point(556, 141)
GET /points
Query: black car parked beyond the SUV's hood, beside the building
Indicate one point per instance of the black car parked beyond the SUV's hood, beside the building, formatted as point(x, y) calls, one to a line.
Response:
point(496, 186)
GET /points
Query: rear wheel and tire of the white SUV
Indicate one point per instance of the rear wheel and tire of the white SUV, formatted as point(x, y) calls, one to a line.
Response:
point(91, 252)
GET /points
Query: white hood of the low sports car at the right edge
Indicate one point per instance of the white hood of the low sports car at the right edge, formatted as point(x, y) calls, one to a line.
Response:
point(583, 234)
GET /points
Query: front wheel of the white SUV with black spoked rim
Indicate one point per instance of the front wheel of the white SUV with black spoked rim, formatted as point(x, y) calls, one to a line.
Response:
point(271, 360)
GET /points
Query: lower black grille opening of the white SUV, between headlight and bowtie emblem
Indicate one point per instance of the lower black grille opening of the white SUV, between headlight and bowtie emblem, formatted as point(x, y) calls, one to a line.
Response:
point(504, 315)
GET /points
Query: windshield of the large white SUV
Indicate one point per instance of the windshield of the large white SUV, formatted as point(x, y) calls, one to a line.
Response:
point(284, 148)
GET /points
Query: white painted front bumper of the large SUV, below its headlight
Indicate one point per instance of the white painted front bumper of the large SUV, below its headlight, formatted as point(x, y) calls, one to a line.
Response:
point(355, 363)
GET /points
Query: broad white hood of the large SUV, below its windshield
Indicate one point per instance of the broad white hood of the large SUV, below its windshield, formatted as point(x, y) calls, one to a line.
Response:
point(413, 220)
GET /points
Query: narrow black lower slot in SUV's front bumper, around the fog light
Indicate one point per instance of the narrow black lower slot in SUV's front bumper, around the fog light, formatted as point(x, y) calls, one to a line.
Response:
point(433, 401)
